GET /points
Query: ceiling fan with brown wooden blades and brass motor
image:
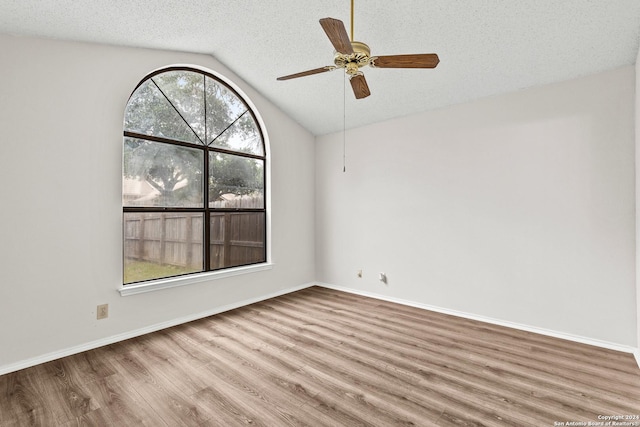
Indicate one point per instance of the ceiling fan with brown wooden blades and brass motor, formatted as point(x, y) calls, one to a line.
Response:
point(353, 55)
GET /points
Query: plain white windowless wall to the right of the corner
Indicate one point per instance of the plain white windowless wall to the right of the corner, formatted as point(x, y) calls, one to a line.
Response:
point(519, 208)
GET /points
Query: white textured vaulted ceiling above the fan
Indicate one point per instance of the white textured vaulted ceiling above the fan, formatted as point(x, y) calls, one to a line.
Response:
point(486, 47)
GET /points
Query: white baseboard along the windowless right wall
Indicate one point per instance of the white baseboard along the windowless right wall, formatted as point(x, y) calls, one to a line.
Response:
point(541, 331)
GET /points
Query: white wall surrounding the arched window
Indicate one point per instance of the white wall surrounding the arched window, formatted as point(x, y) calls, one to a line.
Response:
point(61, 114)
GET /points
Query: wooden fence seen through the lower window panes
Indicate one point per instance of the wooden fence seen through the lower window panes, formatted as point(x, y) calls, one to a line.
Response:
point(237, 238)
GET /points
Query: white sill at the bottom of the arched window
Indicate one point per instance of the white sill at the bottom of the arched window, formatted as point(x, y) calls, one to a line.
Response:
point(173, 282)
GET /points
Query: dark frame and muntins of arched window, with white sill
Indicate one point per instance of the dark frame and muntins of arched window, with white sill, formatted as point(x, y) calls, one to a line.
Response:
point(206, 210)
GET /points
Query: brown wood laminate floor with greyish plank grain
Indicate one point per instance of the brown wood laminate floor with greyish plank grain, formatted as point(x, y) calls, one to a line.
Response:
point(320, 357)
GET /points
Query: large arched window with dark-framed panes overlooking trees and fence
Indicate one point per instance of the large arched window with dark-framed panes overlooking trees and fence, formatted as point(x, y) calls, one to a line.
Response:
point(193, 190)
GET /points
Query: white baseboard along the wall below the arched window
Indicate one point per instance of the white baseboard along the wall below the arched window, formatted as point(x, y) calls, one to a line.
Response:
point(138, 332)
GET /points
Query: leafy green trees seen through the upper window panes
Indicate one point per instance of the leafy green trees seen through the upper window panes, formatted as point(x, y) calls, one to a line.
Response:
point(189, 107)
